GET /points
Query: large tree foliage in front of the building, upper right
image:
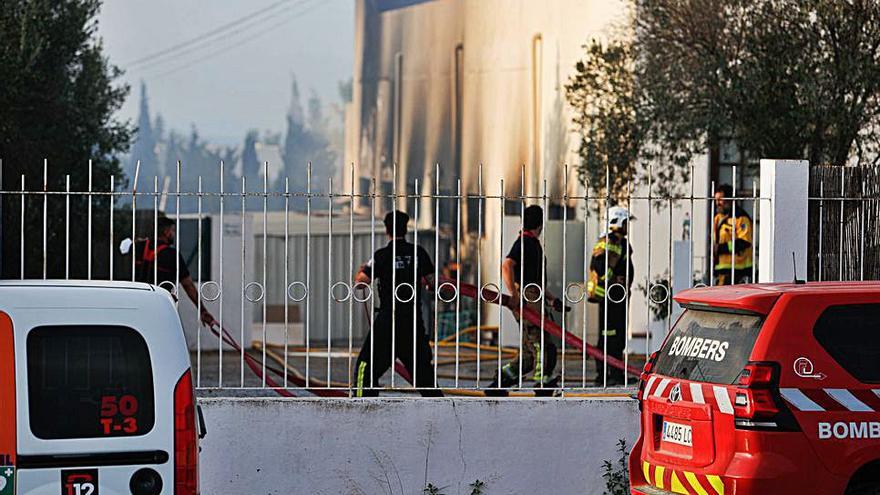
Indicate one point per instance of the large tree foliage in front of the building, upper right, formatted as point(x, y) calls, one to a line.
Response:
point(781, 78)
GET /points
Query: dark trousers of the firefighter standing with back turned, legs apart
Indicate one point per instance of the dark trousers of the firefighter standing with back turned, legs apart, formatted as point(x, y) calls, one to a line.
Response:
point(368, 371)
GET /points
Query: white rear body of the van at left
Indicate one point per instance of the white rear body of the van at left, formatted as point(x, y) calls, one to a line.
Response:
point(150, 313)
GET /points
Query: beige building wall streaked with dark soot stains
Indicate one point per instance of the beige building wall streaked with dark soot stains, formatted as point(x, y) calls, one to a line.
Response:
point(469, 83)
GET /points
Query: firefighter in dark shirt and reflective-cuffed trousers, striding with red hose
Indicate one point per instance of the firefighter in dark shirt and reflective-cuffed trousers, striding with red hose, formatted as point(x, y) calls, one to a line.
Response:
point(523, 270)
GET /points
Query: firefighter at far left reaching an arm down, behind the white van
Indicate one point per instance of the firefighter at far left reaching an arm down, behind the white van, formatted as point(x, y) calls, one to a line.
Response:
point(157, 262)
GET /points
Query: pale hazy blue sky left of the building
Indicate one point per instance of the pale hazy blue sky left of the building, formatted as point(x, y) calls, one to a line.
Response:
point(234, 78)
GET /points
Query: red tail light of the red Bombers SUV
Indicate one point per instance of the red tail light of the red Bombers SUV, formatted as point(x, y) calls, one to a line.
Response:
point(757, 403)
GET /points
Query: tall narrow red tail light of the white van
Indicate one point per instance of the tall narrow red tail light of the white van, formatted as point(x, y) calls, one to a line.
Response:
point(186, 447)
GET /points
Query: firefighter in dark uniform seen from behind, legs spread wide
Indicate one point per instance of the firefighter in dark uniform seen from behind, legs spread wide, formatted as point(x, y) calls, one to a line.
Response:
point(397, 263)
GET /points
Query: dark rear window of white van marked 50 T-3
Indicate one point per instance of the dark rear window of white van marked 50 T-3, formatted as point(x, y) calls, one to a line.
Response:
point(89, 382)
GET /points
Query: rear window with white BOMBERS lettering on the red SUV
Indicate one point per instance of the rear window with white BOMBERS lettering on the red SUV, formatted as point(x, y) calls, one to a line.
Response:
point(709, 346)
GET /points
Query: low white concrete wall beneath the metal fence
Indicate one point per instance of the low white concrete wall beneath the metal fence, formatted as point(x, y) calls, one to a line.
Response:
point(342, 446)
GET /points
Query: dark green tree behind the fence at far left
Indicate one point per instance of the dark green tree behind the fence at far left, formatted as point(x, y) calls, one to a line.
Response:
point(58, 98)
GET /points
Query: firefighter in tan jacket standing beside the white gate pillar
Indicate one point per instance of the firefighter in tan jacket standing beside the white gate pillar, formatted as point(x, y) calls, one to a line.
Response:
point(732, 240)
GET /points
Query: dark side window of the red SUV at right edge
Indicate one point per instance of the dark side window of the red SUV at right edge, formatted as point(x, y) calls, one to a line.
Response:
point(850, 334)
